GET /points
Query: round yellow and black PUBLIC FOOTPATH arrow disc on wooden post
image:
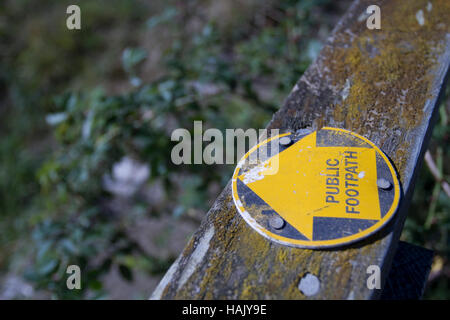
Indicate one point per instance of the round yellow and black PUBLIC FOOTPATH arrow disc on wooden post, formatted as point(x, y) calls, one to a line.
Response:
point(316, 189)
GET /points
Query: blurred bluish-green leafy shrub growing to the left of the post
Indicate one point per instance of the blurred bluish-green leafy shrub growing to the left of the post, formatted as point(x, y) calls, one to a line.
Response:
point(94, 131)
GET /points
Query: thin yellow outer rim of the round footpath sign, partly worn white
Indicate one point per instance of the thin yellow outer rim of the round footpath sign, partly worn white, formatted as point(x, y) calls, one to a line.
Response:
point(321, 243)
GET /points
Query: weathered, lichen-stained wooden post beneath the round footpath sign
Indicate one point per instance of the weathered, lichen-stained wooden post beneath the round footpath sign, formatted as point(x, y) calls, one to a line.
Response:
point(383, 84)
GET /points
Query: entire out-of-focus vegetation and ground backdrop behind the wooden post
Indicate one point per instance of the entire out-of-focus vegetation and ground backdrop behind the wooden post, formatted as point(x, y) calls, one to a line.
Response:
point(85, 124)
